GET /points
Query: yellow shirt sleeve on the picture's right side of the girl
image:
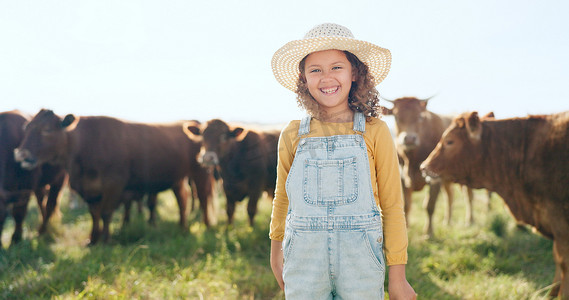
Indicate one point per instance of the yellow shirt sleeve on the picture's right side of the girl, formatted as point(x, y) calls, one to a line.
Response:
point(390, 197)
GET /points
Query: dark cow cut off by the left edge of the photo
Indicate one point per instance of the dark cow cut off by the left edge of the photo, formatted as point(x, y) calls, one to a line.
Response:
point(17, 184)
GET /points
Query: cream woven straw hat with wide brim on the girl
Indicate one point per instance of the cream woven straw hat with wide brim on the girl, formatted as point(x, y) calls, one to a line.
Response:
point(325, 37)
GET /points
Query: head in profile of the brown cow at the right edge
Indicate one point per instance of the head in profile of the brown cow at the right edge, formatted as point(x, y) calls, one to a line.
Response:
point(459, 152)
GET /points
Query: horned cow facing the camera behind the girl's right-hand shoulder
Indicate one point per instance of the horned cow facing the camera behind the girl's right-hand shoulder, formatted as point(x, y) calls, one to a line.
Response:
point(418, 130)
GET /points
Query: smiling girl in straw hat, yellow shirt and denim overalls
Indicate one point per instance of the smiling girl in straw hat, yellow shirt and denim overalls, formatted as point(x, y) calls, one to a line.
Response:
point(338, 187)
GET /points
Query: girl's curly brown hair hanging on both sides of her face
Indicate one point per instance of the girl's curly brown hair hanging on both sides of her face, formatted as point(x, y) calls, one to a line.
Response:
point(363, 96)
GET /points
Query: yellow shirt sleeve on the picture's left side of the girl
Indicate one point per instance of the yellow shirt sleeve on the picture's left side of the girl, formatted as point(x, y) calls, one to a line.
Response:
point(286, 151)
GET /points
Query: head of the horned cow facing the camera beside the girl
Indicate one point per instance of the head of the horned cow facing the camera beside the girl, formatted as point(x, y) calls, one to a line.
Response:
point(409, 113)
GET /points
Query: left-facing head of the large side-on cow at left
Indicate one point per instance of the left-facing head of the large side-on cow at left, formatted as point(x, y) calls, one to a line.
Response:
point(45, 139)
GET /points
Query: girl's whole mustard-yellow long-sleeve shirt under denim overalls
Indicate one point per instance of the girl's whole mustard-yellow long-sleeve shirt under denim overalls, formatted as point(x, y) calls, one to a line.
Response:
point(385, 178)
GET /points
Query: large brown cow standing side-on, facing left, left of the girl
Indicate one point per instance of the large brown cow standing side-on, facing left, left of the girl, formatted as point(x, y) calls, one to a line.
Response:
point(111, 161)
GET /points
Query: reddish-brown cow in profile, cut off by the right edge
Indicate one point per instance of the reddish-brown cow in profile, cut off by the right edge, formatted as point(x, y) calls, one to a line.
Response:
point(525, 161)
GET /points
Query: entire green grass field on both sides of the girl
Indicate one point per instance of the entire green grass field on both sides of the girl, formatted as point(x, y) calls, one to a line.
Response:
point(492, 259)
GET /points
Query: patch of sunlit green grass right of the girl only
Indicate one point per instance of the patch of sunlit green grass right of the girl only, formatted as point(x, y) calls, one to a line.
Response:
point(493, 259)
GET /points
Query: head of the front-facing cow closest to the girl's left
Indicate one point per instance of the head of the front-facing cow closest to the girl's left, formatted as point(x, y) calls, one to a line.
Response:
point(217, 140)
